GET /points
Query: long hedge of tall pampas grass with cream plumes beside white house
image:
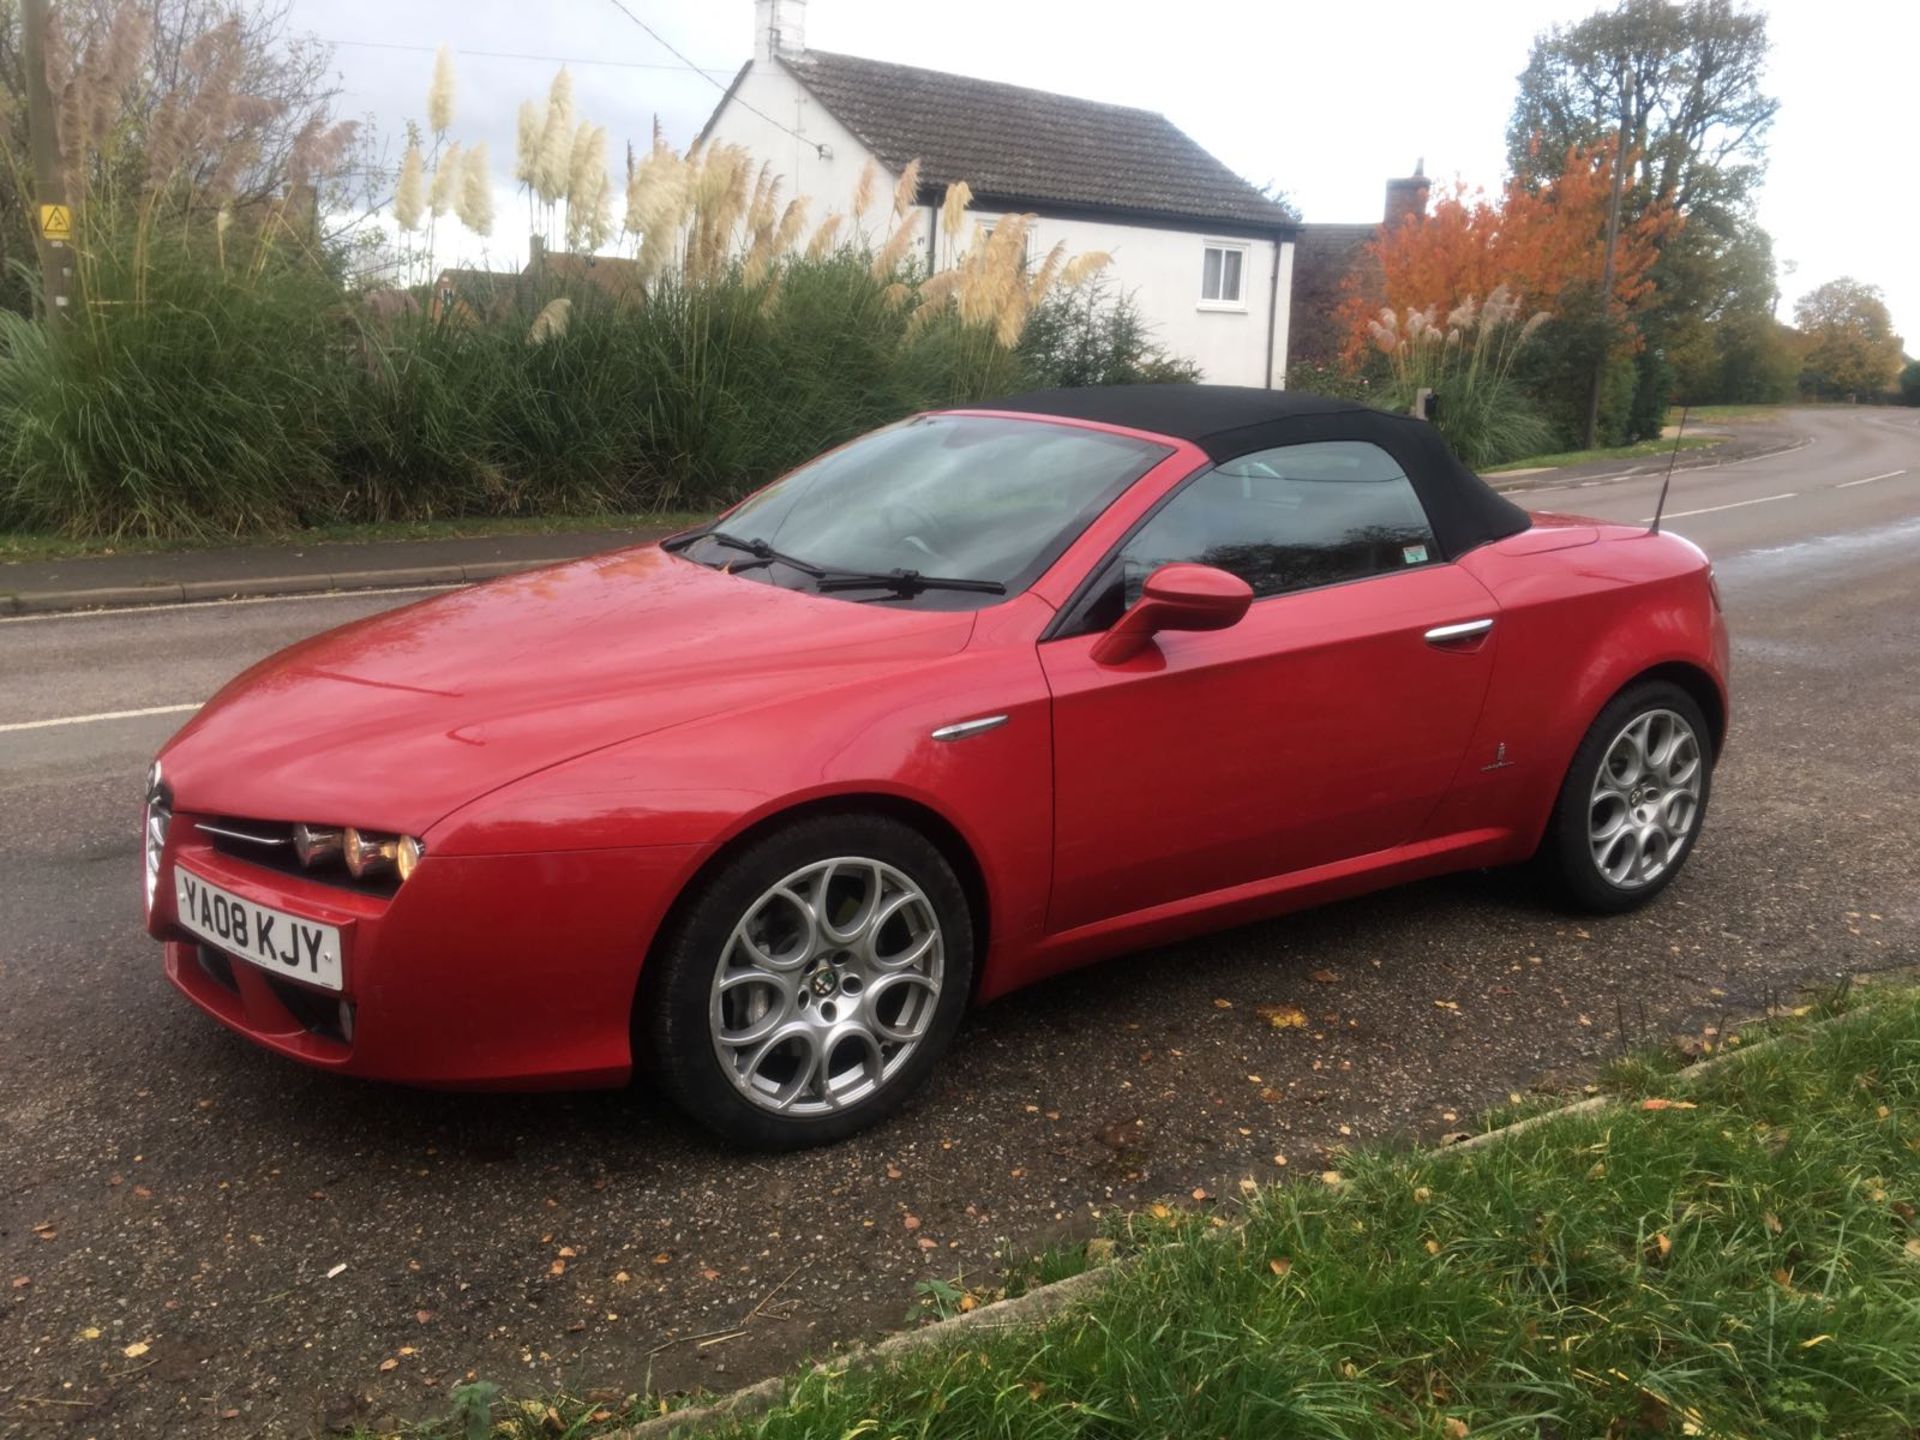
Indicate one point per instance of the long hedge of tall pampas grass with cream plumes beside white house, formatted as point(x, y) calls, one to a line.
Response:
point(212, 395)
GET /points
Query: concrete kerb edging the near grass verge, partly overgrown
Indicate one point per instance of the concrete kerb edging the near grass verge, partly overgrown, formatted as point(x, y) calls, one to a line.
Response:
point(1049, 1301)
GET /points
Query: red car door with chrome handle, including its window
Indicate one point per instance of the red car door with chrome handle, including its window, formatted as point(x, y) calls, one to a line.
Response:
point(1324, 727)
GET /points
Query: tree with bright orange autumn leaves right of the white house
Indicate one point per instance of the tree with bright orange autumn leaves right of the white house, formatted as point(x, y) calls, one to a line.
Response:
point(1539, 243)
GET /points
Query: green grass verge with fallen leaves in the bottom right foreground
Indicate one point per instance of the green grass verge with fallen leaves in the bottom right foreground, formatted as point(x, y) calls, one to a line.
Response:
point(1739, 1260)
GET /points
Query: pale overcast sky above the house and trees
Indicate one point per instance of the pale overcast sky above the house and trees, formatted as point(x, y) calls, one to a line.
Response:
point(1324, 101)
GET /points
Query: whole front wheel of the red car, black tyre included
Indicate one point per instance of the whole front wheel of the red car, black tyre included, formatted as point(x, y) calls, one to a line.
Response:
point(813, 982)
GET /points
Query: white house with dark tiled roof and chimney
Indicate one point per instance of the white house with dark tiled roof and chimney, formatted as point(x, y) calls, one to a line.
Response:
point(1207, 258)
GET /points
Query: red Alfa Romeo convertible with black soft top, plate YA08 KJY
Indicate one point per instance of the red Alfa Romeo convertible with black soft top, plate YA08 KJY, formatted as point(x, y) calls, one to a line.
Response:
point(963, 704)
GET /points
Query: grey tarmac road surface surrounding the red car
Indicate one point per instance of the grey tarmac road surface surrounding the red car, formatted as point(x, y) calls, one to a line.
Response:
point(276, 1237)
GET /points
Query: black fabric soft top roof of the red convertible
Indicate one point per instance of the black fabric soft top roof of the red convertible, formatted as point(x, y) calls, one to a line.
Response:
point(1228, 421)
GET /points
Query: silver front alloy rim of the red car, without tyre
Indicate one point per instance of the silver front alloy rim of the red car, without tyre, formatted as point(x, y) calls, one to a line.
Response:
point(828, 984)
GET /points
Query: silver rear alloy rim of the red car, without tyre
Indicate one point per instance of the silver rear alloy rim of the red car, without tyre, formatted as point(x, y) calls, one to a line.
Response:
point(1646, 800)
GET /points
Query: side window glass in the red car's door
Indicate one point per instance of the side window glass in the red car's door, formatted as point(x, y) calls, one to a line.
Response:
point(1282, 519)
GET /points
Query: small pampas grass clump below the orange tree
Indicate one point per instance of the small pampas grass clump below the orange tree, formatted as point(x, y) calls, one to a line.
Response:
point(1468, 364)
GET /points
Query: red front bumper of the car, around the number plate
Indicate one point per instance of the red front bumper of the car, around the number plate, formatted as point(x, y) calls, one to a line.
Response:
point(481, 972)
